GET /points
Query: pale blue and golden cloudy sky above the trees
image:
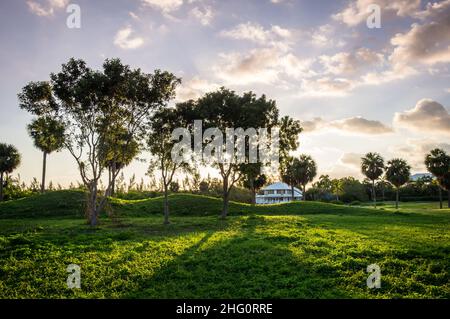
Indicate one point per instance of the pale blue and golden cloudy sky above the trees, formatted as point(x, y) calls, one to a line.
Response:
point(355, 88)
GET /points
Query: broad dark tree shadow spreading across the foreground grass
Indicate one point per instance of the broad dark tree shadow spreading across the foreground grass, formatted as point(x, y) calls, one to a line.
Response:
point(245, 265)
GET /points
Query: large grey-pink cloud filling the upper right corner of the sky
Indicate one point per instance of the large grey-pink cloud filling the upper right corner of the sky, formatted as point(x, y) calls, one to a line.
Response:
point(426, 43)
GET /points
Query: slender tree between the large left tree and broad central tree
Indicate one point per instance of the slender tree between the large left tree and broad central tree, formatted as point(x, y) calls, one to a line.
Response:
point(161, 144)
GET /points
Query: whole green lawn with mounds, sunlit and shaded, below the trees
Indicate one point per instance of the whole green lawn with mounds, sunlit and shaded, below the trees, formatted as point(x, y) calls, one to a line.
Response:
point(300, 250)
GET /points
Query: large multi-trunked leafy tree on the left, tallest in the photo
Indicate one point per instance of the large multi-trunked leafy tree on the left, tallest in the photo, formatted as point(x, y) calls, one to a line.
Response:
point(89, 102)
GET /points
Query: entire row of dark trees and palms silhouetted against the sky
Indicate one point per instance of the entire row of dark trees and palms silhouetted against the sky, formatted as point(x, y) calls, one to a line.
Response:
point(106, 118)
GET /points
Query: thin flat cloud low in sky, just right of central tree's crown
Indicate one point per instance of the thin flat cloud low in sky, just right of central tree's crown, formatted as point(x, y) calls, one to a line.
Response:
point(353, 124)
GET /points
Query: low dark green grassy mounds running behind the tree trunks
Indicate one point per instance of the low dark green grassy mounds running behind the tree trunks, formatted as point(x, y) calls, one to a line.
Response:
point(71, 204)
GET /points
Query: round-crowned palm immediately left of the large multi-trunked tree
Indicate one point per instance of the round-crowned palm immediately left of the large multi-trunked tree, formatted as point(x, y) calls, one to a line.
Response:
point(48, 135)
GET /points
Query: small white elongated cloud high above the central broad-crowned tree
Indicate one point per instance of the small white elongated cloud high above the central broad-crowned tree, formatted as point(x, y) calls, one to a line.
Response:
point(256, 33)
